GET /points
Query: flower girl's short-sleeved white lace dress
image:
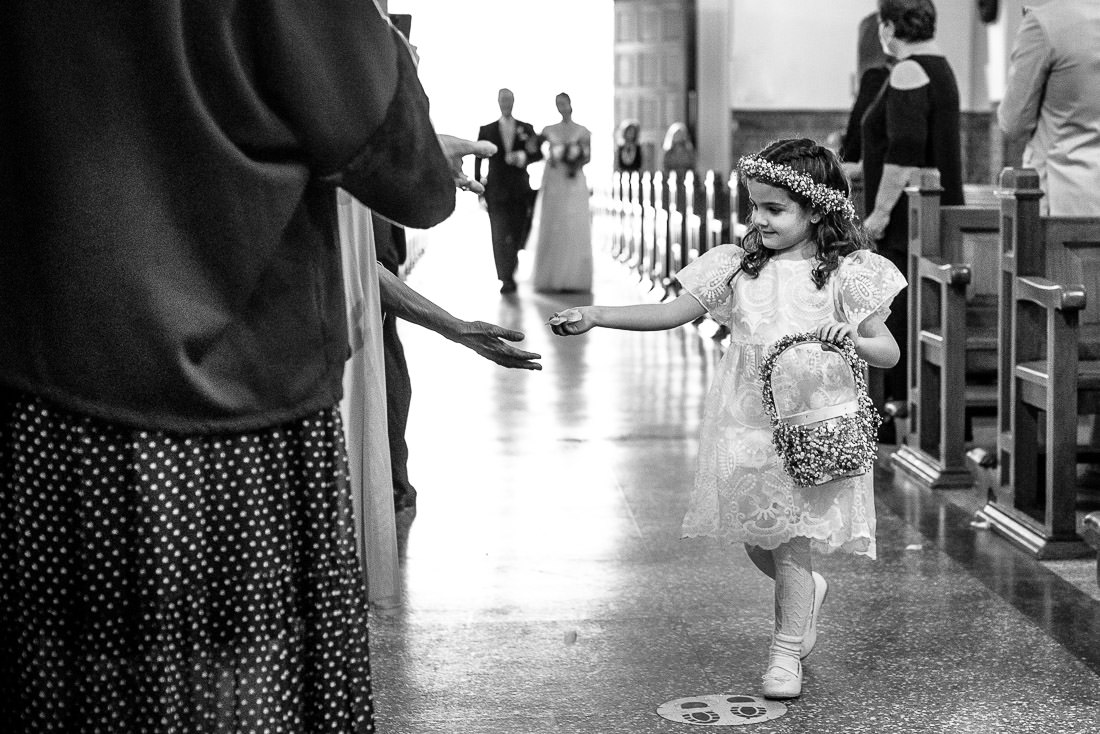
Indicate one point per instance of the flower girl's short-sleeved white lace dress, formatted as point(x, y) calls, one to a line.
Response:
point(742, 492)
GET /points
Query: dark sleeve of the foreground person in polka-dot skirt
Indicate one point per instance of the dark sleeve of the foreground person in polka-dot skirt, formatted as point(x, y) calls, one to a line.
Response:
point(345, 84)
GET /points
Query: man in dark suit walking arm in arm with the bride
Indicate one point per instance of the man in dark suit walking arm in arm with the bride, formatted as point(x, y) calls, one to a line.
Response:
point(509, 194)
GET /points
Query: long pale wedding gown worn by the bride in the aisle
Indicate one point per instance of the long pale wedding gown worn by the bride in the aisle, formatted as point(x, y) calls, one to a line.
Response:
point(562, 228)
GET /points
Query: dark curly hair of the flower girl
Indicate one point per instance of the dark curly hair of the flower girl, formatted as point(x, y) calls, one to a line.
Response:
point(835, 235)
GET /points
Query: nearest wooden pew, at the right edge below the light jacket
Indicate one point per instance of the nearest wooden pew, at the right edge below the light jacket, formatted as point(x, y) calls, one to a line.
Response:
point(1050, 369)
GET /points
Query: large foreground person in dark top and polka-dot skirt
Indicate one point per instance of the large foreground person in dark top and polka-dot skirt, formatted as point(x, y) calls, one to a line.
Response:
point(178, 550)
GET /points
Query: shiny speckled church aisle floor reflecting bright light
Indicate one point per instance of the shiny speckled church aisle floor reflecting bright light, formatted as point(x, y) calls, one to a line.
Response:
point(546, 589)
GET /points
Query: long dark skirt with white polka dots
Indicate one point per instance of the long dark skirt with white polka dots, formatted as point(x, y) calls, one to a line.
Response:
point(157, 584)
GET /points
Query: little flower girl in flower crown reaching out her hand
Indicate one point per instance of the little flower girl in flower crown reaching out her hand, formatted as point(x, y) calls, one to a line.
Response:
point(805, 267)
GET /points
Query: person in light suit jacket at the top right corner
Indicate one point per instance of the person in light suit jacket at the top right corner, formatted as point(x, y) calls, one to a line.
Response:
point(1053, 102)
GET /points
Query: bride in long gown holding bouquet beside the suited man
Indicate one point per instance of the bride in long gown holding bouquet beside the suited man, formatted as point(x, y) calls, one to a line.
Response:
point(562, 229)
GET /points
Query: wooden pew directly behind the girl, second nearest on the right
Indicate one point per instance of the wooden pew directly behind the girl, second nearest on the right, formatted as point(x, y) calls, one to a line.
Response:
point(952, 350)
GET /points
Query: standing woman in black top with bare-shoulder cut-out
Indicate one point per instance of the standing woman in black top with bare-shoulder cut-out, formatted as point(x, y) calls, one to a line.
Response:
point(914, 124)
